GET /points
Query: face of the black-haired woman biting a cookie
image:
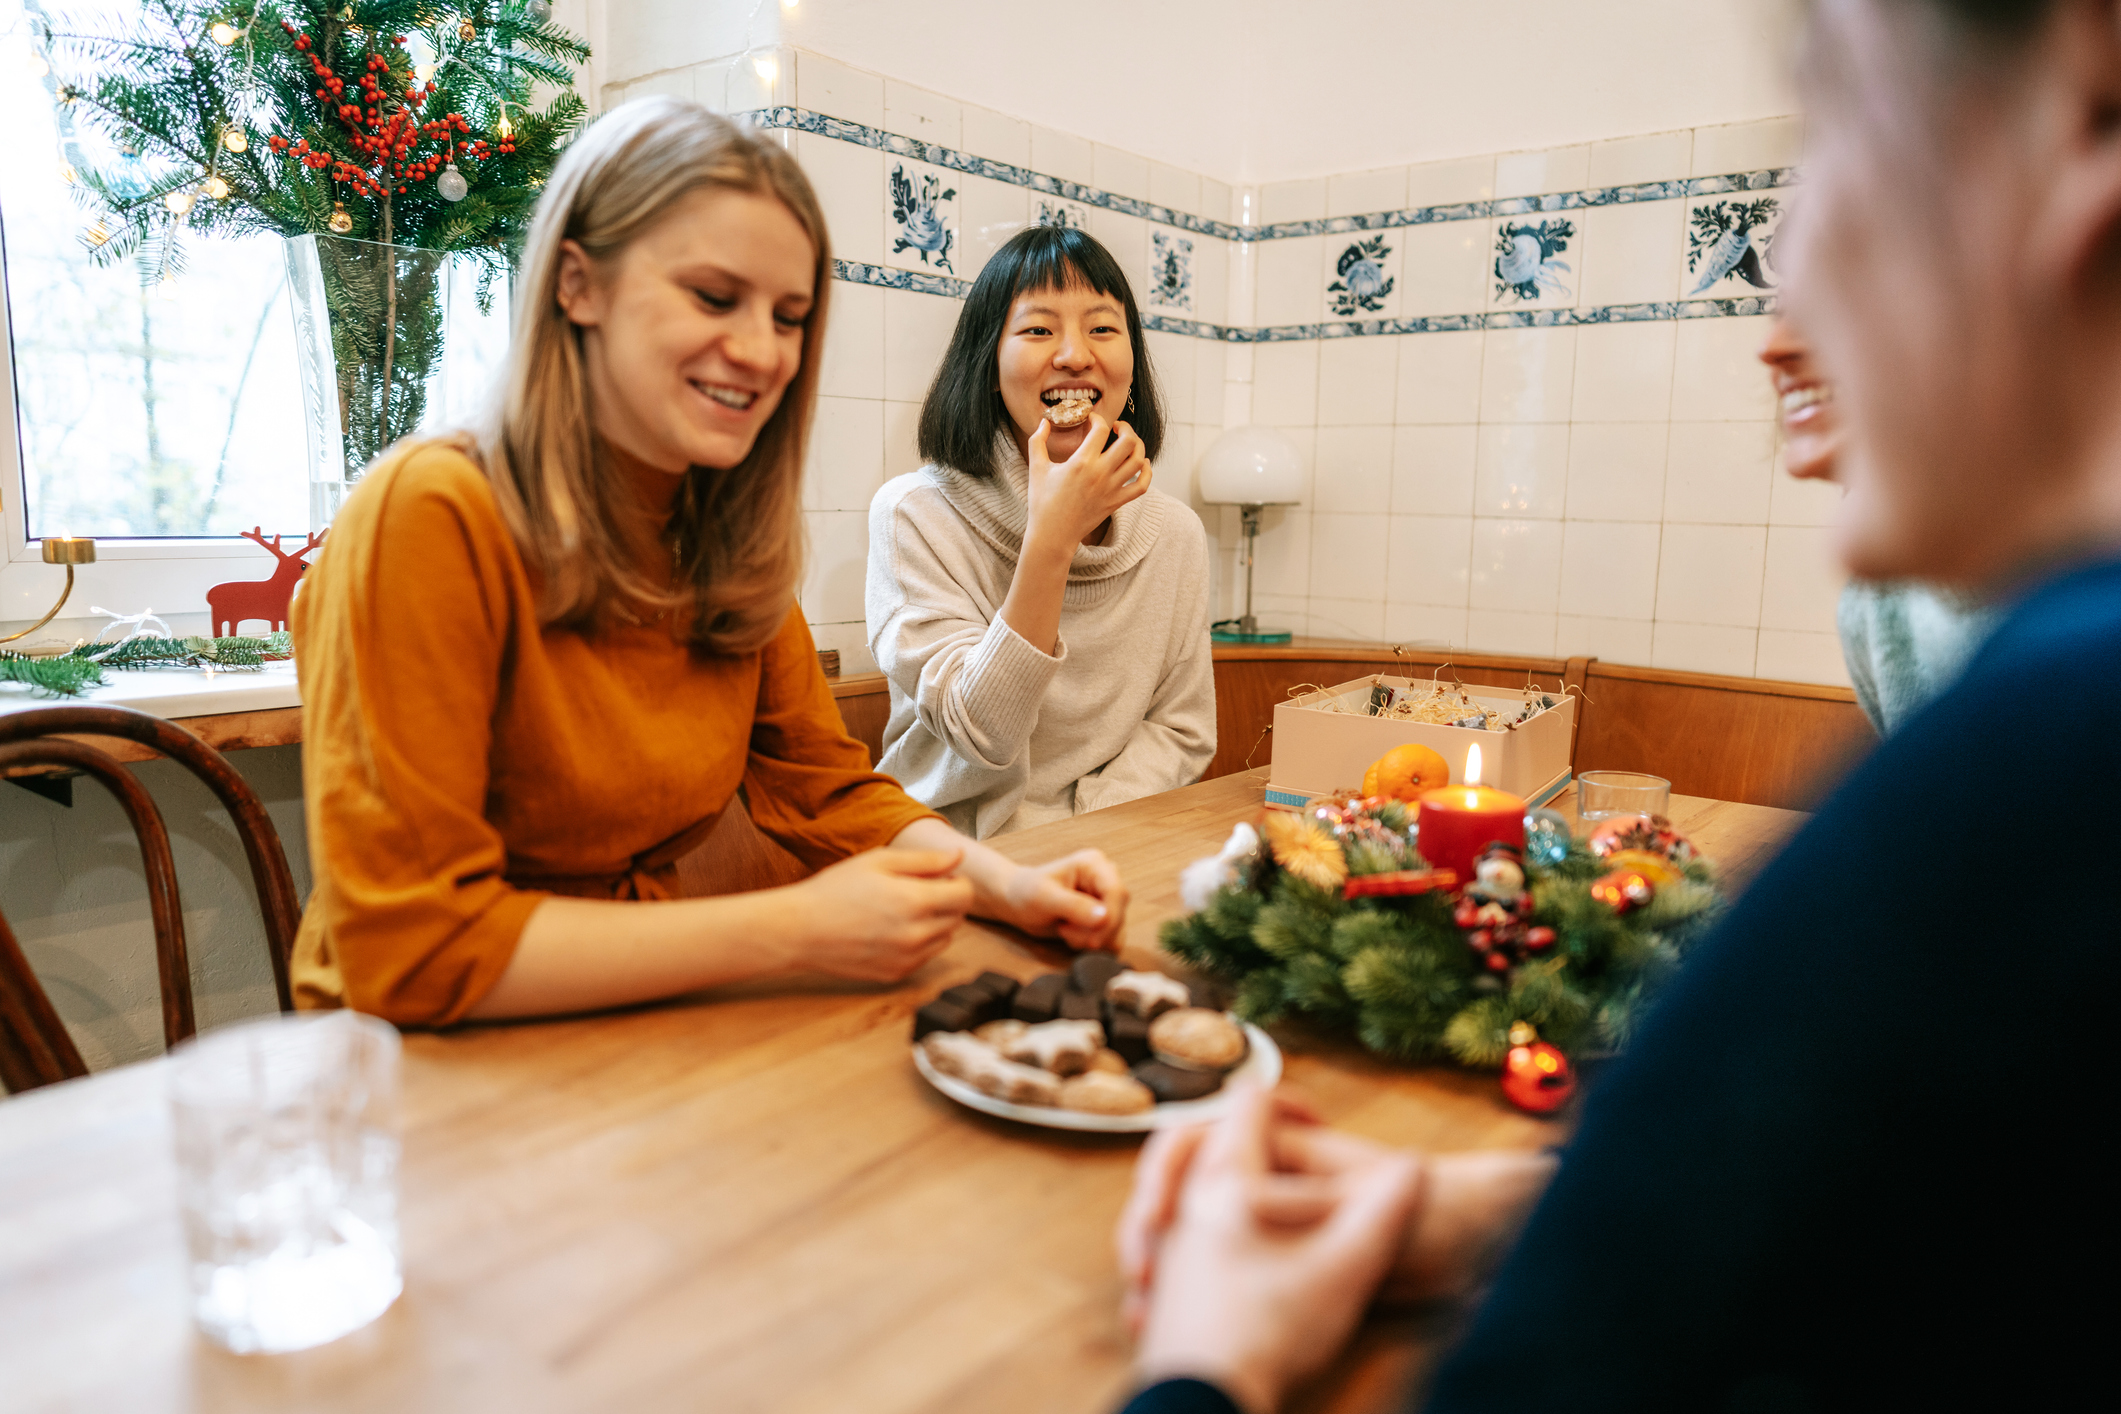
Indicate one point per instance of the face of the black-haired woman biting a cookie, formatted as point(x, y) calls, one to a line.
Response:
point(1064, 342)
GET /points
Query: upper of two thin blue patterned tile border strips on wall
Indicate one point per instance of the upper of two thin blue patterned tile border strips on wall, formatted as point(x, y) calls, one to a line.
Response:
point(841, 130)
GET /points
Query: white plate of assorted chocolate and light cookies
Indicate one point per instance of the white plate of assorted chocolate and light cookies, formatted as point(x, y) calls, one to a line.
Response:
point(1095, 1048)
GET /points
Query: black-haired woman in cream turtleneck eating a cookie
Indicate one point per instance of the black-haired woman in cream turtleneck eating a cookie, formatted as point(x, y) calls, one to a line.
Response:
point(1040, 607)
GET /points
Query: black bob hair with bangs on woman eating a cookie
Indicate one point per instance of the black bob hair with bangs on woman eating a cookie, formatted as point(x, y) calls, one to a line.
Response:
point(964, 410)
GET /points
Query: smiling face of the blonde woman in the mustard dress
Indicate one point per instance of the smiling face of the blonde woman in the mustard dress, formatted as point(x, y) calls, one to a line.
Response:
point(695, 332)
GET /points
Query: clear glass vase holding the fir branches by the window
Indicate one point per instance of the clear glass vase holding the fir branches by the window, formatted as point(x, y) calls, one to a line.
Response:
point(391, 340)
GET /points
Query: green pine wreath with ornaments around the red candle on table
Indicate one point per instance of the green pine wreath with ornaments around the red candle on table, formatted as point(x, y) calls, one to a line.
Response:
point(1571, 942)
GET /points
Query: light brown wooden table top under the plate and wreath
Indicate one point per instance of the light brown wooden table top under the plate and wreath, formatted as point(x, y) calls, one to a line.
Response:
point(739, 1203)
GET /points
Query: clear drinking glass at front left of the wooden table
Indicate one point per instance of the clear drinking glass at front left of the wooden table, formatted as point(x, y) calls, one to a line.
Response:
point(287, 1167)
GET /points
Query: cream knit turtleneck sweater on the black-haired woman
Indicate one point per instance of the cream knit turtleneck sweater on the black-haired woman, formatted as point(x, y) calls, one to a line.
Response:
point(994, 732)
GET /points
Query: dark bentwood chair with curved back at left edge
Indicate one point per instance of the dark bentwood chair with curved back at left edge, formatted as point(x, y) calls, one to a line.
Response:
point(35, 1048)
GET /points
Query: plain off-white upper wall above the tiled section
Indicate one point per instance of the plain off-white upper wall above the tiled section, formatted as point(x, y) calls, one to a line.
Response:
point(1257, 90)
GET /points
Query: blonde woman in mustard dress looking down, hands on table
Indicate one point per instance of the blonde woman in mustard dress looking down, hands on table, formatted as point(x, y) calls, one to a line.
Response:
point(542, 658)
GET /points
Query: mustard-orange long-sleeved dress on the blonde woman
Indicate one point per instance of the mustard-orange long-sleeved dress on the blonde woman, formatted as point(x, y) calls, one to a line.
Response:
point(461, 764)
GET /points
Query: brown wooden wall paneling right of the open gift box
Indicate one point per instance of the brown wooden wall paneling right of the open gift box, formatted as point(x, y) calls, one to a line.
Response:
point(1749, 741)
